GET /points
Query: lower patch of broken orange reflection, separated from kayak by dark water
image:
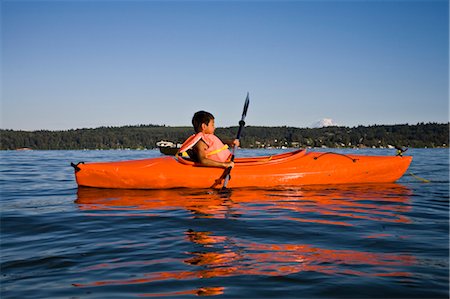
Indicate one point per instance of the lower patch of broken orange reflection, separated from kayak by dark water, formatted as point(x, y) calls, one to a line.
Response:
point(249, 258)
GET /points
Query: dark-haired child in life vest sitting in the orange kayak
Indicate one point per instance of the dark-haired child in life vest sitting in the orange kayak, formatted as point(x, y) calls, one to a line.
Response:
point(204, 147)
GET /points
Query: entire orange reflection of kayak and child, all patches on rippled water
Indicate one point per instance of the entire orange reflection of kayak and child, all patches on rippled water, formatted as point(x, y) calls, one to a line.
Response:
point(219, 255)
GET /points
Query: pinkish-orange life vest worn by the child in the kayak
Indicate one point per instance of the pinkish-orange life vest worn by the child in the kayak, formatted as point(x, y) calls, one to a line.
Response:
point(216, 151)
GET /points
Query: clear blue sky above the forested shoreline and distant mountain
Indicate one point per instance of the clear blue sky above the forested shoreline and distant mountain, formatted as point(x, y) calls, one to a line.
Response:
point(85, 64)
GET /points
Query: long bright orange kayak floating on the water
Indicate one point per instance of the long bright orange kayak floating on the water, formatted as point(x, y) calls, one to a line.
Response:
point(288, 169)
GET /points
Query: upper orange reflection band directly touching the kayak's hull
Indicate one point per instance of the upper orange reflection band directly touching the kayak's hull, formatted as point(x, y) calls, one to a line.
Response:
point(384, 202)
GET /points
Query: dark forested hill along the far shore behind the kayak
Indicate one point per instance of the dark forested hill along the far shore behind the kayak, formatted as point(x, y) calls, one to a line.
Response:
point(146, 136)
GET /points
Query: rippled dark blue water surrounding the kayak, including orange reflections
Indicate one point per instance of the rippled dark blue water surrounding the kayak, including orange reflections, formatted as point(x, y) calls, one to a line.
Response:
point(366, 241)
